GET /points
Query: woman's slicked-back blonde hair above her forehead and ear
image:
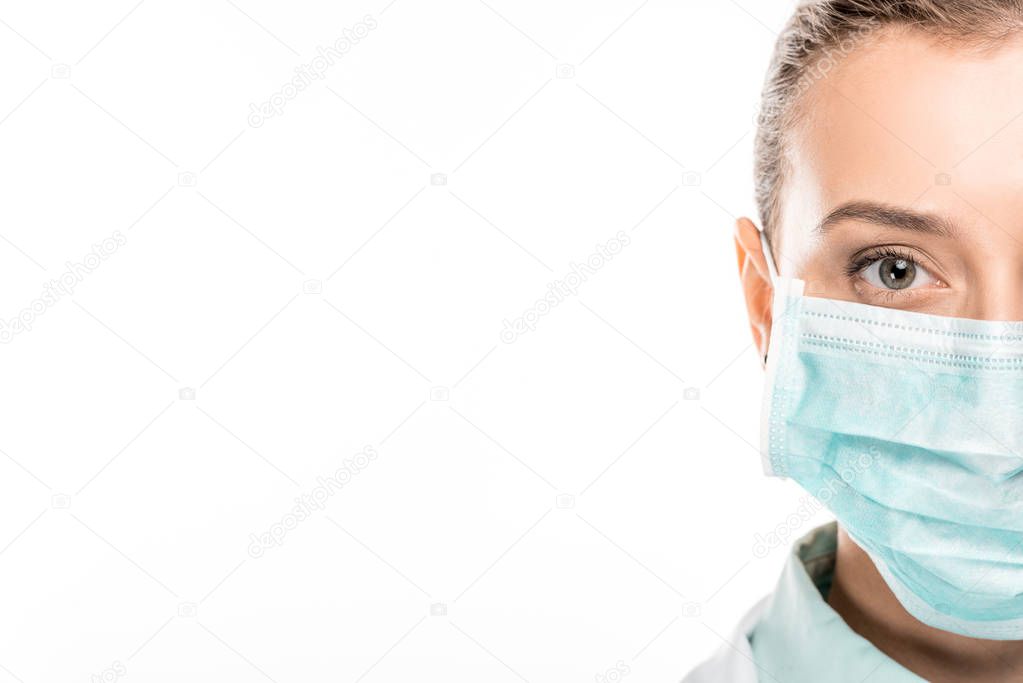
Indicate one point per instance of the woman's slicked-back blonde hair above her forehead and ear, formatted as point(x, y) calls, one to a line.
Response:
point(823, 31)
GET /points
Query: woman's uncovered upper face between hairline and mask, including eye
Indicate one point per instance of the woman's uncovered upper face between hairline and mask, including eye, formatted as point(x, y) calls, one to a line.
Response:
point(908, 180)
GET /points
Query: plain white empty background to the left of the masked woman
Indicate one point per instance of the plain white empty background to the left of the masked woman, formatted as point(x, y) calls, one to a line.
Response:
point(577, 504)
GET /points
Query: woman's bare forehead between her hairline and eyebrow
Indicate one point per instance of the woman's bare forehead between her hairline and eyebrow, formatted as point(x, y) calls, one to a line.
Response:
point(905, 120)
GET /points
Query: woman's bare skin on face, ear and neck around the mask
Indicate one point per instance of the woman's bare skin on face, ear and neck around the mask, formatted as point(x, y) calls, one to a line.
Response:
point(907, 123)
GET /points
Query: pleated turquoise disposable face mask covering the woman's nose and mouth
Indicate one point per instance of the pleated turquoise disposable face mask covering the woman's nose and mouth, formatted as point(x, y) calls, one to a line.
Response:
point(910, 429)
